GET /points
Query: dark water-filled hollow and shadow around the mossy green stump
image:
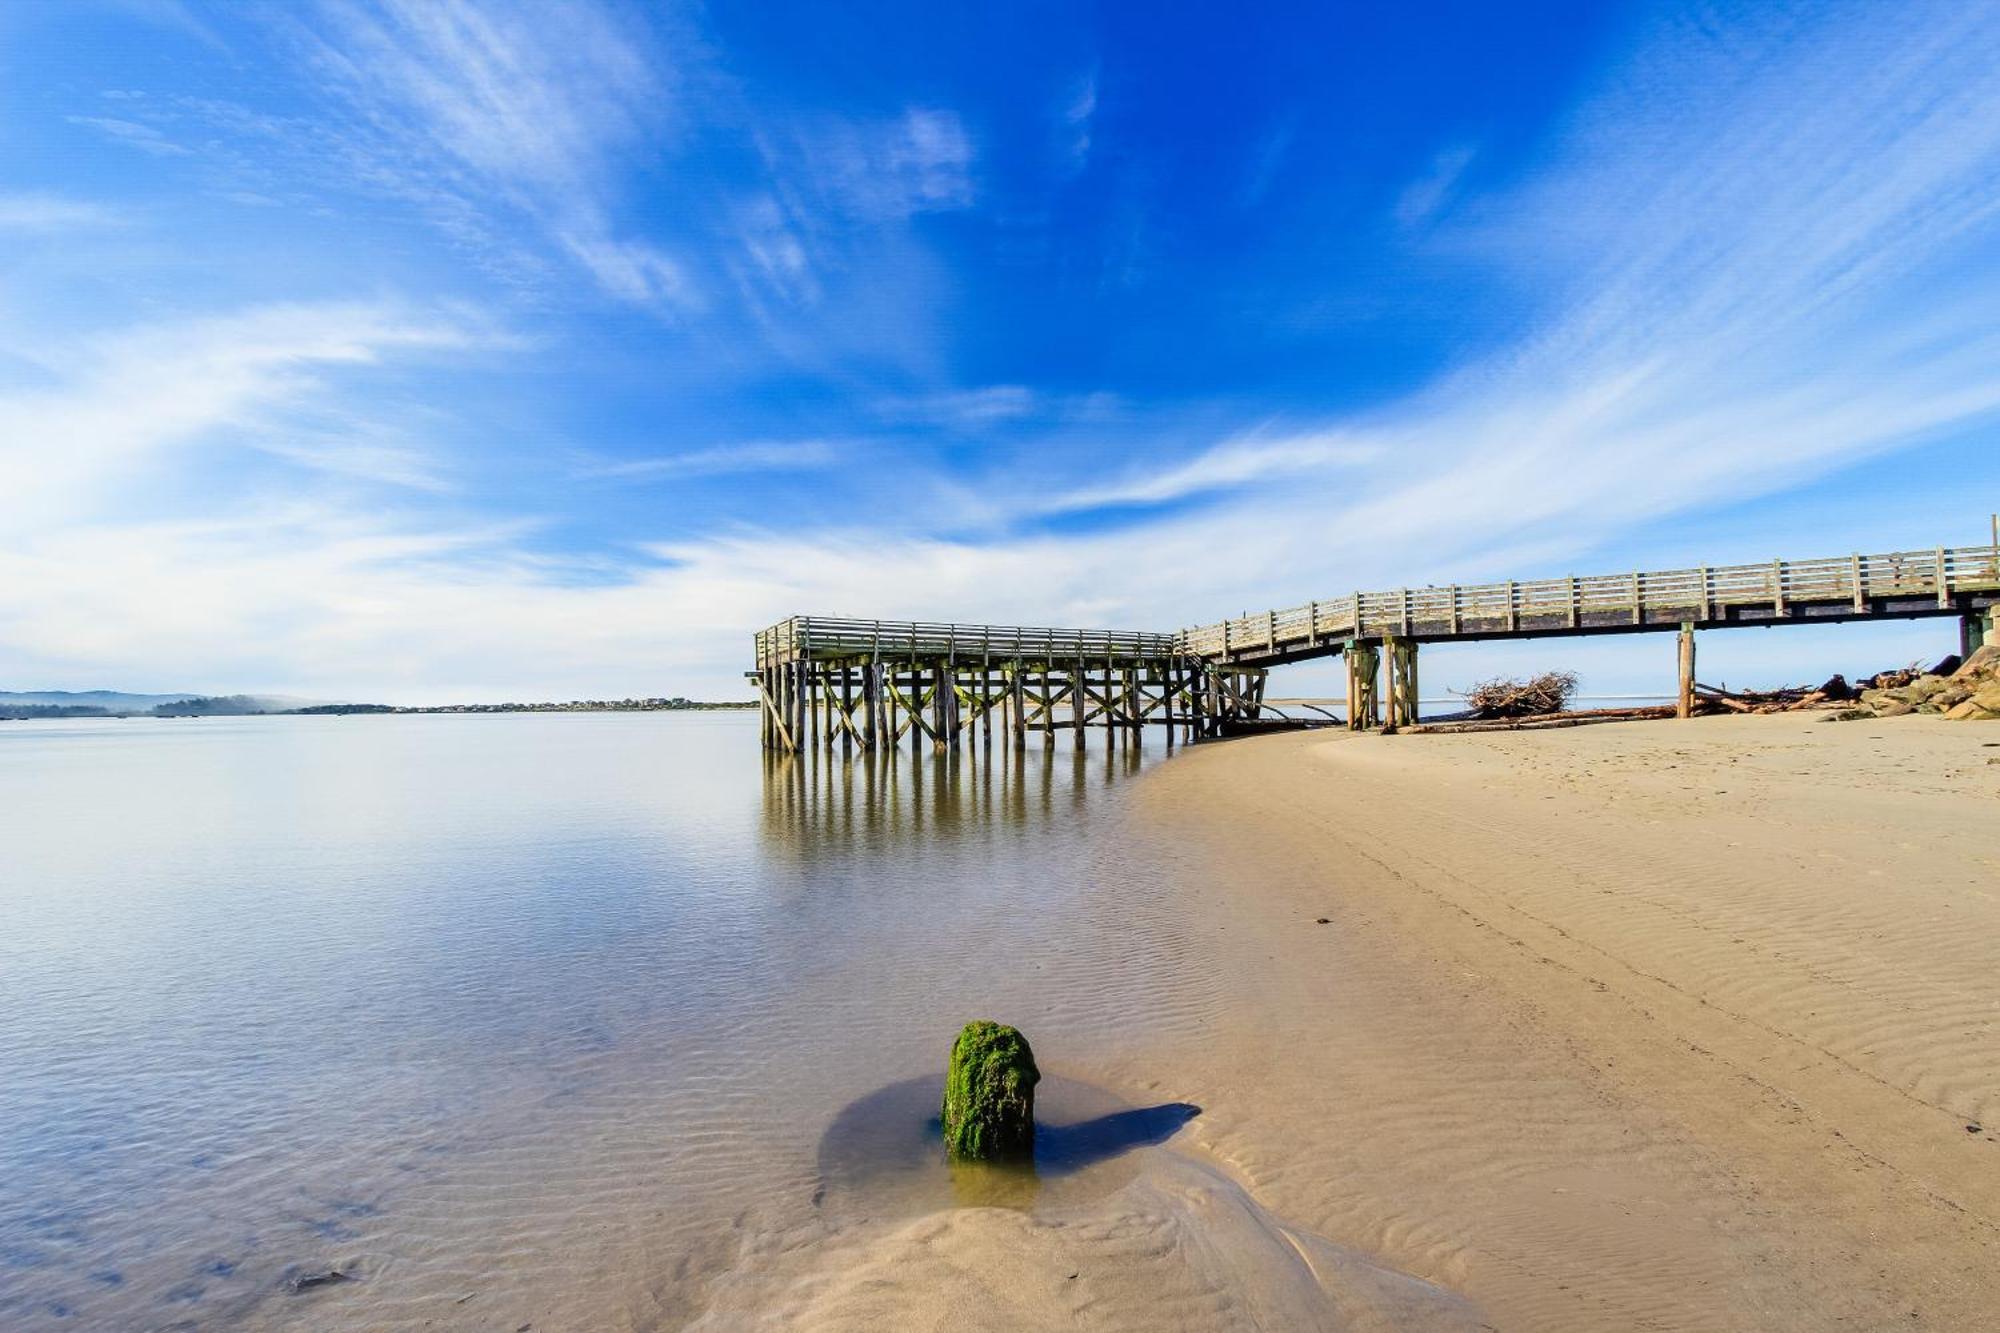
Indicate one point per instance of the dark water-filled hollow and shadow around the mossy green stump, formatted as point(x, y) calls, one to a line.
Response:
point(885, 1152)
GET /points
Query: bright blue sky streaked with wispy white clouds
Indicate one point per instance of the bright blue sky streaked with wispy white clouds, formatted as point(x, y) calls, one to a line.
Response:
point(425, 351)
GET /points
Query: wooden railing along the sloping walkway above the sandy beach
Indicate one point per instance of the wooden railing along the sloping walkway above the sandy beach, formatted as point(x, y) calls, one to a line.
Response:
point(1605, 601)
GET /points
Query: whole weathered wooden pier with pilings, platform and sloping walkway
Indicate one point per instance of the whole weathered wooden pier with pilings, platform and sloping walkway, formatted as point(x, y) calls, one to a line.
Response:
point(873, 684)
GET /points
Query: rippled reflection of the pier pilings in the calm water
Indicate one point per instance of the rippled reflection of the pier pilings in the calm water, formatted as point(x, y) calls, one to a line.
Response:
point(823, 798)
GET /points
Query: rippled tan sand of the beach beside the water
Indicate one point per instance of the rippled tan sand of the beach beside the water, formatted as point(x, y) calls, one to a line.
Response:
point(1663, 1026)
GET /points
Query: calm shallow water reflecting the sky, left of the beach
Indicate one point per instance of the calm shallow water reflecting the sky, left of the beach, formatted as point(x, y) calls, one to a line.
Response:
point(519, 1020)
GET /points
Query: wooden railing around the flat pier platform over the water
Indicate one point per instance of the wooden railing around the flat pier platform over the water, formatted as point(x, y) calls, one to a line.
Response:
point(831, 639)
